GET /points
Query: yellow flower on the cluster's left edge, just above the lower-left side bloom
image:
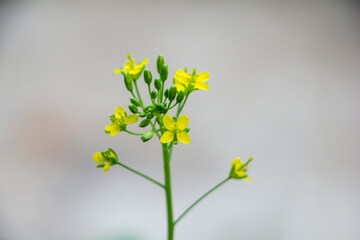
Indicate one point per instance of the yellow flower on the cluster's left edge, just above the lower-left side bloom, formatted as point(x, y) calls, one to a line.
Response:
point(119, 121)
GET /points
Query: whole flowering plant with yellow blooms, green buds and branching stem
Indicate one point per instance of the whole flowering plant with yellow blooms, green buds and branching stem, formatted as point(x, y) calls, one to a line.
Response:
point(169, 128)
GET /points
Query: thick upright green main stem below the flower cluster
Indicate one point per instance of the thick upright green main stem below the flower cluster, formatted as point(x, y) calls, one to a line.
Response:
point(170, 217)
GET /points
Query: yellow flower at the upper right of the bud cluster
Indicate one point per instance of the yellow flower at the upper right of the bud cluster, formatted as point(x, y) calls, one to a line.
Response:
point(183, 80)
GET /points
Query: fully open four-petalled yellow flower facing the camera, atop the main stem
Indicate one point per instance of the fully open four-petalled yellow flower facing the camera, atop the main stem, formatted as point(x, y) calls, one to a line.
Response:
point(175, 129)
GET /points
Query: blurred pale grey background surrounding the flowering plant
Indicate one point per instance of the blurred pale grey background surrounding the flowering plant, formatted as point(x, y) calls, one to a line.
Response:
point(284, 88)
